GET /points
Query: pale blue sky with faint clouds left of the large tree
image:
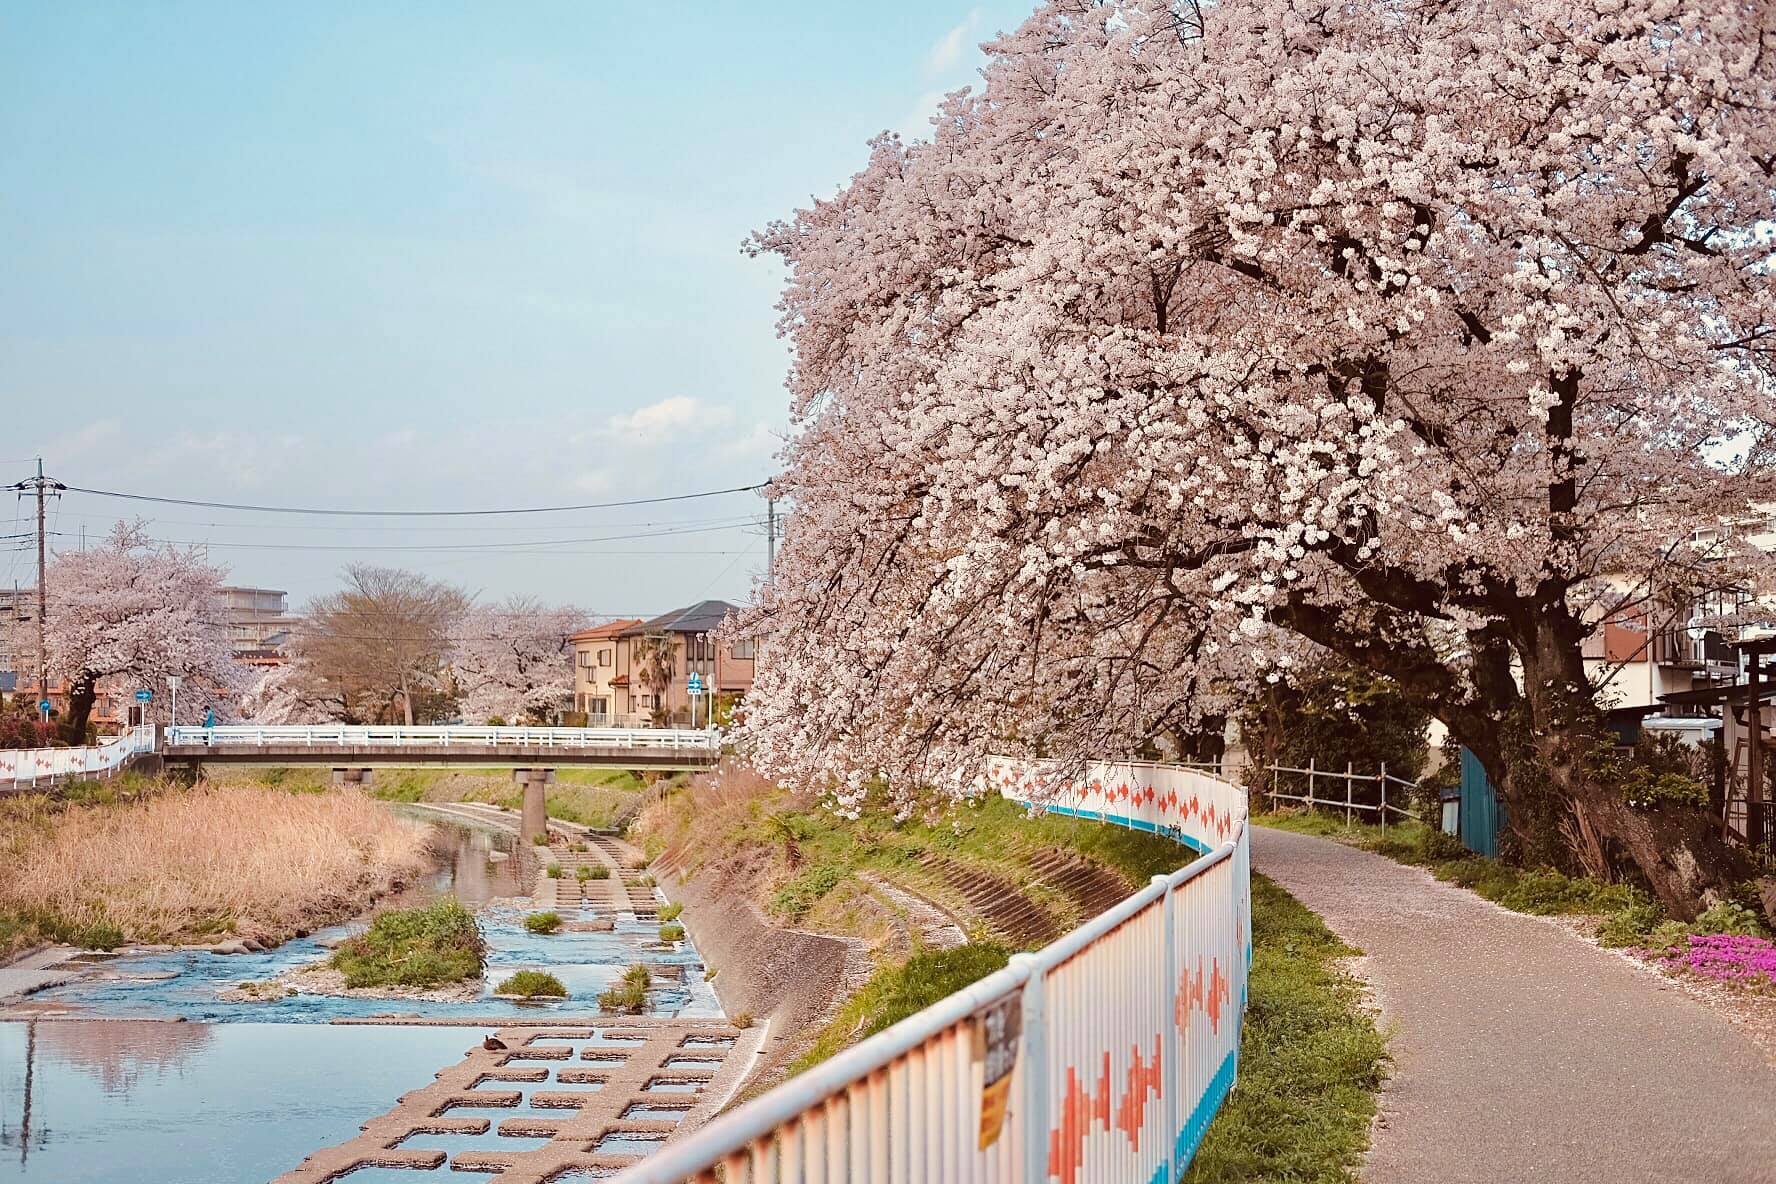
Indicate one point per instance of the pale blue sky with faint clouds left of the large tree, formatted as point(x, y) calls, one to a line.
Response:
point(427, 257)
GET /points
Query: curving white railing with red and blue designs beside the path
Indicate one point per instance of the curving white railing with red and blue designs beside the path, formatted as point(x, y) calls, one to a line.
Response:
point(1097, 1061)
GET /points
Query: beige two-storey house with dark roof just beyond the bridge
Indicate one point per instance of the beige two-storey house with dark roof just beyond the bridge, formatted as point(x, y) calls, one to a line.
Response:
point(637, 674)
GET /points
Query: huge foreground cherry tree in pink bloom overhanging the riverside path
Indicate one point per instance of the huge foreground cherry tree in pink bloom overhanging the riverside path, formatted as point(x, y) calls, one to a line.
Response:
point(1209, 338)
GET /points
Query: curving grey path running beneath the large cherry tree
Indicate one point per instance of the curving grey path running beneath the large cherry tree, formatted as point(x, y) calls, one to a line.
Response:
point(1525, 1054)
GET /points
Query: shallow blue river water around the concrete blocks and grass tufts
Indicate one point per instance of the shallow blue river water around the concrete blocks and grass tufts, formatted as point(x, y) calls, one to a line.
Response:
point(250, 1089)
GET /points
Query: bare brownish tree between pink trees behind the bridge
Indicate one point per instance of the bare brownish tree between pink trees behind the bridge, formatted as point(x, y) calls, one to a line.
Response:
point(381, 640)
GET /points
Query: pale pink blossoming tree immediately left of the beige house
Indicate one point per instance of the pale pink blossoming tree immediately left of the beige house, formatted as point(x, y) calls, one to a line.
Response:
point(514, 659)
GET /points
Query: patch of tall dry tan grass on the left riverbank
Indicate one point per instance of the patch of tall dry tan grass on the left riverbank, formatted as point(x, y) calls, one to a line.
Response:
point(210, 862)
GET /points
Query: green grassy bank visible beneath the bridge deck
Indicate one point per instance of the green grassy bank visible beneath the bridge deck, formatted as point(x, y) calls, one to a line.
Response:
point(587, 796)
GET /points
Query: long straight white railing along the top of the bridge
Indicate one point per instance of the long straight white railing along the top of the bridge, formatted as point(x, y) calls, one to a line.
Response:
point(354, 736)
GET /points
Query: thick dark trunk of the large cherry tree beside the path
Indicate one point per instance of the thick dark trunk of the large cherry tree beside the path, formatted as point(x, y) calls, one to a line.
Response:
point(1562, 805)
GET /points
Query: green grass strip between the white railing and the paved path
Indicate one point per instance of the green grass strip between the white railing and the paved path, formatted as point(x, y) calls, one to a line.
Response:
point(1310, 1061)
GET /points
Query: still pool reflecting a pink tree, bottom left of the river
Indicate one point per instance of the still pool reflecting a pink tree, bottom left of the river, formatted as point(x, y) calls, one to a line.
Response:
point(145, 1103)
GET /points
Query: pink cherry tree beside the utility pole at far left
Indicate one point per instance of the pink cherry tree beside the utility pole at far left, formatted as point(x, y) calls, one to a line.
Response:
point(127, 615)
